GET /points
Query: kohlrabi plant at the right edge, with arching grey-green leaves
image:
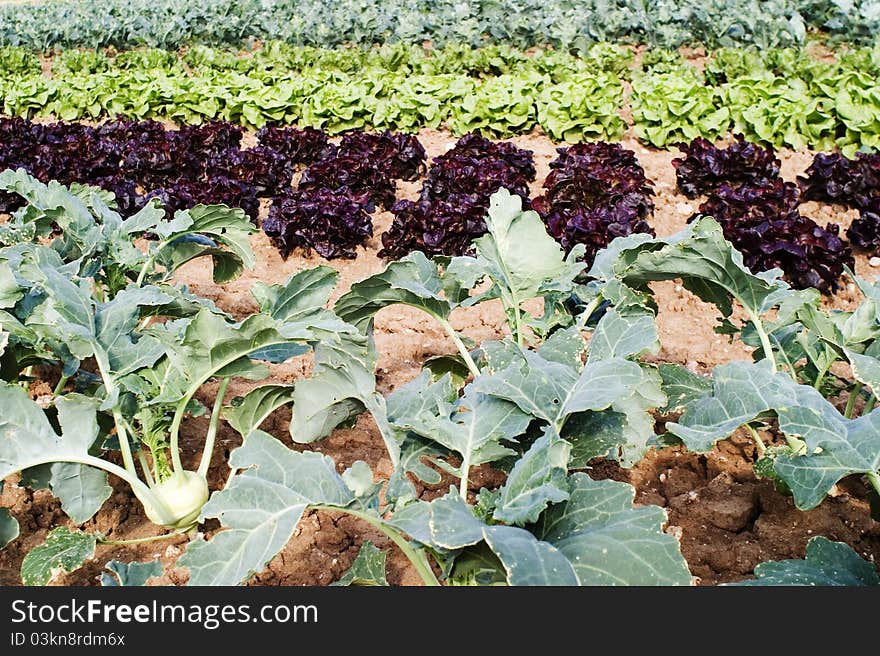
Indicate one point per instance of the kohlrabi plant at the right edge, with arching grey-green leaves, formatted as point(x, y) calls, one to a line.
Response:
point(790, 387)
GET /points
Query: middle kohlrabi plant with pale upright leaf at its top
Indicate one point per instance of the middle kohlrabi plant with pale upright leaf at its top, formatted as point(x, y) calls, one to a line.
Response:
point(539, 404)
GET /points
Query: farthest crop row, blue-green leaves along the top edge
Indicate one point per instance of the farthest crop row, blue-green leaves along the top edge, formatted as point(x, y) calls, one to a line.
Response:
point(525, 23)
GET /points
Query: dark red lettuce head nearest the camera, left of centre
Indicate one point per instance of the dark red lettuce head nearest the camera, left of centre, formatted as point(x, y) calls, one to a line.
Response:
point(329, 221)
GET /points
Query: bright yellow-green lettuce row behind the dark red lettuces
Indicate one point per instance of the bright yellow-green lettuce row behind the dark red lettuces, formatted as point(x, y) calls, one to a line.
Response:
point(778, 97)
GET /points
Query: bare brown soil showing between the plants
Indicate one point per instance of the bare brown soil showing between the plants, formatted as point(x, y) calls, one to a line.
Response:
point(726, 519)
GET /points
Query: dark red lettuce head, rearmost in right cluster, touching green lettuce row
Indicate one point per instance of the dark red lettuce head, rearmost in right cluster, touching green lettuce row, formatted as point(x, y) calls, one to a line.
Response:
point(705, 167)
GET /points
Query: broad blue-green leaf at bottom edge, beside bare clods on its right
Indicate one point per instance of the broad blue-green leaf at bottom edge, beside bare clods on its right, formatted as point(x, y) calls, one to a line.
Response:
point(610, 542)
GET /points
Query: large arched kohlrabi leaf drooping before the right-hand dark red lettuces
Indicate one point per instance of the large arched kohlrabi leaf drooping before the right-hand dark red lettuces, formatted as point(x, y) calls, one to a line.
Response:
point(707, 265)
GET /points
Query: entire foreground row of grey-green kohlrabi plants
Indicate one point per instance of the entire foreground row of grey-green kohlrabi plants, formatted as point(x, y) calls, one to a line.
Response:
point(83, 310)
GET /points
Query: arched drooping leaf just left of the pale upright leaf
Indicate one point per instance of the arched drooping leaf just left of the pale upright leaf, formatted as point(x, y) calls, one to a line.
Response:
point(413, 280)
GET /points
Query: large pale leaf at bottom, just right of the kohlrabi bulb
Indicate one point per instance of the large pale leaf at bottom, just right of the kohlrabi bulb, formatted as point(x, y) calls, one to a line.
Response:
point(260, 509)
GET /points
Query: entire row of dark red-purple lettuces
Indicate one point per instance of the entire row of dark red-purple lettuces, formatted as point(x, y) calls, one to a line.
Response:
point(595, 192)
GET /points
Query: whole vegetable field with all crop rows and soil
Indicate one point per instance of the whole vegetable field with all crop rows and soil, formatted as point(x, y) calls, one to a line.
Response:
point(436, 294)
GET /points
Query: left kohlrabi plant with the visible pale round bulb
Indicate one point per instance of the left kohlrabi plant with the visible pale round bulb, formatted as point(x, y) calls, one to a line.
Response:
point(128, 348)
